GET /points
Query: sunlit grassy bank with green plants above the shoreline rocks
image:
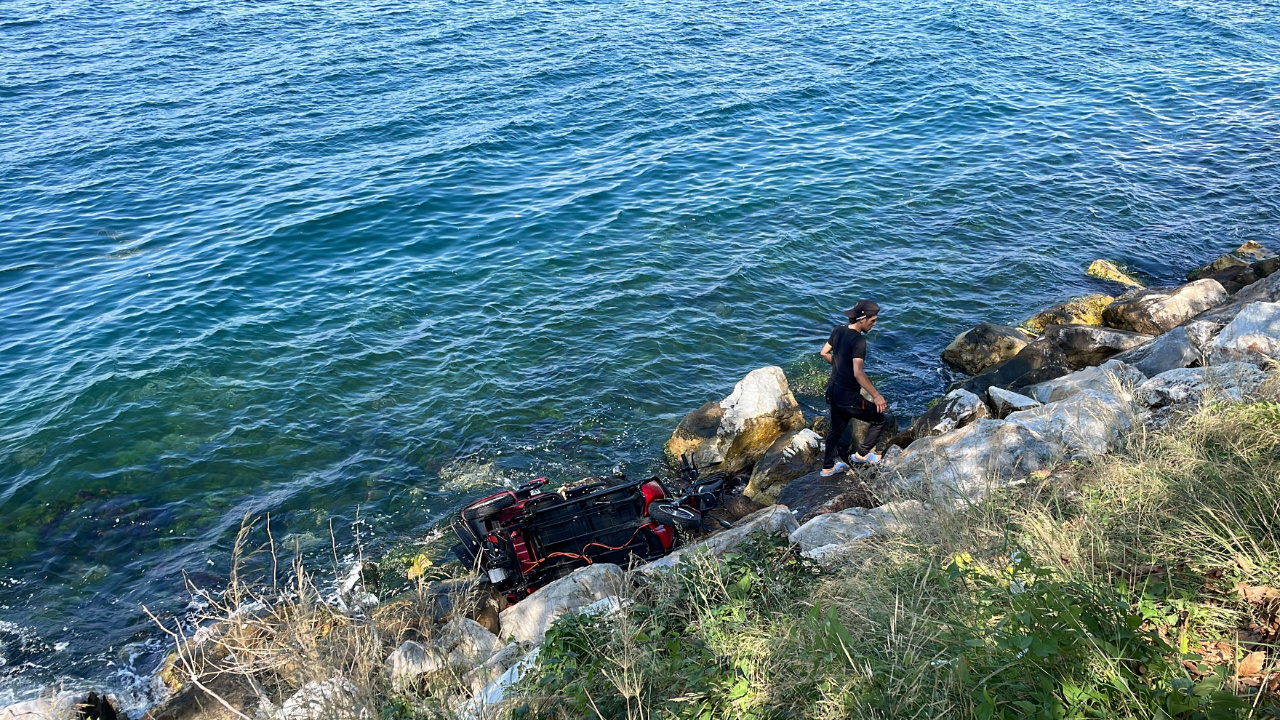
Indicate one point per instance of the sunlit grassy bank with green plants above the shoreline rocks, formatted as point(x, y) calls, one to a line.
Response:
point(1131, 586)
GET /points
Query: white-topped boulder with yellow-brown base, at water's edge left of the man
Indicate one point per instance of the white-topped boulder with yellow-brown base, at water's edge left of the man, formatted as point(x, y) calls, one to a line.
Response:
point(739, 430)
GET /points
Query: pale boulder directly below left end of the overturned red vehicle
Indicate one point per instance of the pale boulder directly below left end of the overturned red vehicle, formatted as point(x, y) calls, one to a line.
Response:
point(529, 619)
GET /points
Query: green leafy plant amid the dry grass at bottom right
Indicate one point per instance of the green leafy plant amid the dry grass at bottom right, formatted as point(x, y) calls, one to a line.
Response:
point(1039, 646)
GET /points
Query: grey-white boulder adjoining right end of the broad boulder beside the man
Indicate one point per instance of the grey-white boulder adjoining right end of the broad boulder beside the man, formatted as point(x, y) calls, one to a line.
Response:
point(1085, 425)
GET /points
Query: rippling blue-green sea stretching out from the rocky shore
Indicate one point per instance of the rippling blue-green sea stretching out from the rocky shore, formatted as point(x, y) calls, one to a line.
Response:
point(346, 265)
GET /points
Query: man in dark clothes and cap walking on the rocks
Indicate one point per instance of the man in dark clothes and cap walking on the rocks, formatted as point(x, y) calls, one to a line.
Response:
point(847, 352)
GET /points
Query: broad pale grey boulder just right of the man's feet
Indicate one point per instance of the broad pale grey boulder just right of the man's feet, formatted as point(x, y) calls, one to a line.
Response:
point(970, 462)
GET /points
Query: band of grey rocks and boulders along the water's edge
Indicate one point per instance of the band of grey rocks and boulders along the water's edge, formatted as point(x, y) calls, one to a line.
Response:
point(1068, 384)
